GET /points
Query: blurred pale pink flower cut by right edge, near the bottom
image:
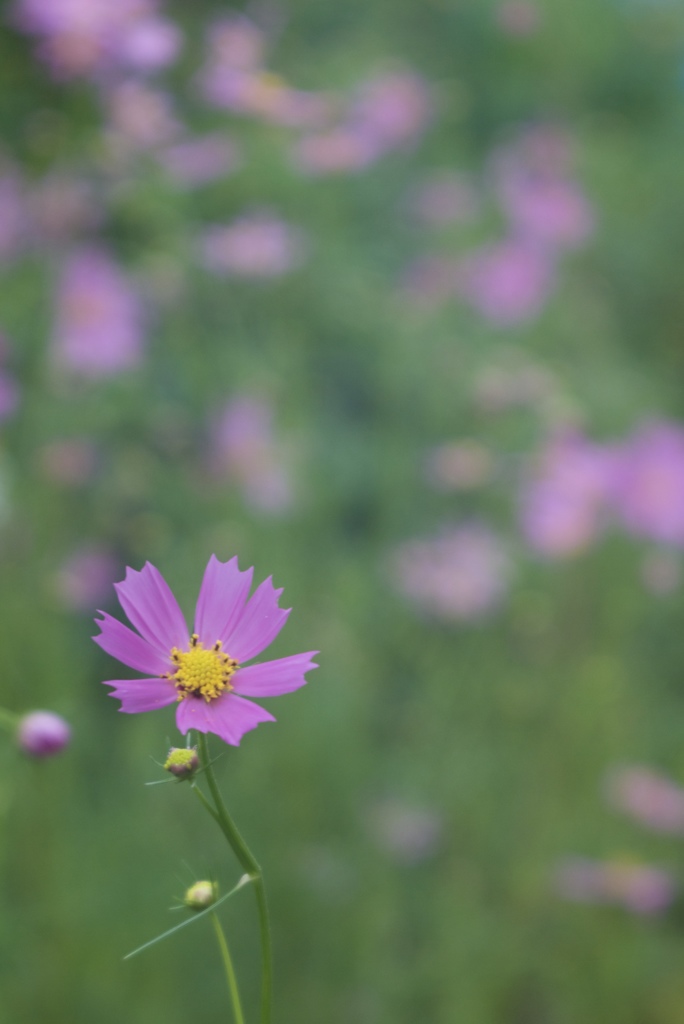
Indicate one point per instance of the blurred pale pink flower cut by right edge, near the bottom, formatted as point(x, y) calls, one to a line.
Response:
point(652, 799)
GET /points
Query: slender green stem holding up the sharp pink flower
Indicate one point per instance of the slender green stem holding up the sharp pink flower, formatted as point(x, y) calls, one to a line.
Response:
point(251, 867)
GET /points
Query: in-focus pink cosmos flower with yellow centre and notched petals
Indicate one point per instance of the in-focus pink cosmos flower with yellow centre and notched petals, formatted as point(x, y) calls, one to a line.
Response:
point(202, 672)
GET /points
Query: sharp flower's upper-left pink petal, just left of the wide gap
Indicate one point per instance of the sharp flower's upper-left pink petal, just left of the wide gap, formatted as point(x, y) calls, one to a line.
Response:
point(147, 600)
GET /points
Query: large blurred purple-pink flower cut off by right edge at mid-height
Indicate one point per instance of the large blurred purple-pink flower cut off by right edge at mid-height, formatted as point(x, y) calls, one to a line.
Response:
point(650, 487)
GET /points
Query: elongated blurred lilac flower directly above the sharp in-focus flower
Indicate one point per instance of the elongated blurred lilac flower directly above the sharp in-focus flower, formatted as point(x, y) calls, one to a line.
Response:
point(244, 447)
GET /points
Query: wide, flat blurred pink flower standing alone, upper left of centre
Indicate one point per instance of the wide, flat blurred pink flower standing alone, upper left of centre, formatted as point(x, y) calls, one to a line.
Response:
point(258, 245)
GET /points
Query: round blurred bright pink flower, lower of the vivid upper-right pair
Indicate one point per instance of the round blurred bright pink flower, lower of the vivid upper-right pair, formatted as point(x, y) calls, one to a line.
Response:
point(508, 282)
